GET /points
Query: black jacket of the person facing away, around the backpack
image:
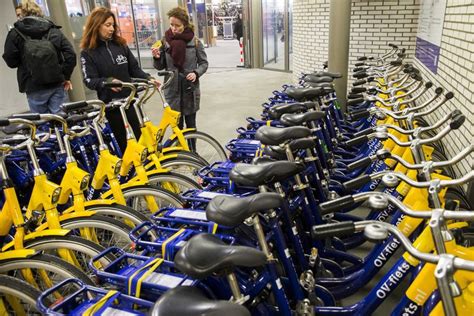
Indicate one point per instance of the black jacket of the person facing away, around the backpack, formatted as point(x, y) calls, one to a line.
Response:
point(37, 27)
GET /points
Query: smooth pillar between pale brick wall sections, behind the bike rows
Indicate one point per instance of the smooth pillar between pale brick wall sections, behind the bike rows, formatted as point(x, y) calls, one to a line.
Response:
point(339, 31)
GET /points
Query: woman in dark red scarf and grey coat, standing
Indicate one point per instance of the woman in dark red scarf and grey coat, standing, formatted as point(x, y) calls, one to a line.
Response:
point(182, 53)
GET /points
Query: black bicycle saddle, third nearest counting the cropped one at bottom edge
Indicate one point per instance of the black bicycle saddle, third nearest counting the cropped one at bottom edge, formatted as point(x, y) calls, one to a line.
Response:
point(232, 211)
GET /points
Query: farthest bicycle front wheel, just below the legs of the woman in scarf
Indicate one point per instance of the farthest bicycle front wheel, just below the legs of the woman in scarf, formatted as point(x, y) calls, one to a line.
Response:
point(204, 145)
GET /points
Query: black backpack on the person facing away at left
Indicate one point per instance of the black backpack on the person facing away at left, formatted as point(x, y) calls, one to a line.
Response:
point(41, 59)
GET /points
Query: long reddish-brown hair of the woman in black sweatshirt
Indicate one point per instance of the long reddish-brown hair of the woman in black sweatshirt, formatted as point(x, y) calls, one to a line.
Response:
point(98, 17)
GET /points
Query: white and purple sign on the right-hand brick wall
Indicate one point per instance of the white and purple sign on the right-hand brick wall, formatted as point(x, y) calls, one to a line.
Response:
point(430, 31)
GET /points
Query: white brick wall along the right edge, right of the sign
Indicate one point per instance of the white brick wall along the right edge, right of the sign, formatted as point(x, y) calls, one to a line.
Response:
point(456, 74)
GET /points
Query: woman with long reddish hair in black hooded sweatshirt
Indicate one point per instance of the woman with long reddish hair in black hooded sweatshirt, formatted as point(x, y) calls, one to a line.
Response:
point(105, 57)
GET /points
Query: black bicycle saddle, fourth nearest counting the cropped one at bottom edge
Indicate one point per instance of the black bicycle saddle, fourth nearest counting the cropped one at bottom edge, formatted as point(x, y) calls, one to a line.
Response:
point(255, 175)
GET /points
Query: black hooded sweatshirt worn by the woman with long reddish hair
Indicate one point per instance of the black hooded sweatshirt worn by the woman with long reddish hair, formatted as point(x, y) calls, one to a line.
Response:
point(109, 60)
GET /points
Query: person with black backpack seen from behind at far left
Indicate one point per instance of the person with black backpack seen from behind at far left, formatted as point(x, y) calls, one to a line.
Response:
point(44, 57)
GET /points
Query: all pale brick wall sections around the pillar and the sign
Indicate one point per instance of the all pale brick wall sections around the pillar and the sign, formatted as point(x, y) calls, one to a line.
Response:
point(374, 24)
